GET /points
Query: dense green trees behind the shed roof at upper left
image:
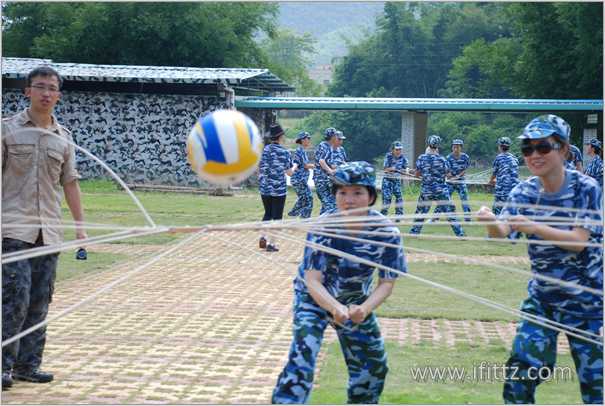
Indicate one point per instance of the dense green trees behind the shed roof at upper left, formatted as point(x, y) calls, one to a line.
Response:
point(171, 34)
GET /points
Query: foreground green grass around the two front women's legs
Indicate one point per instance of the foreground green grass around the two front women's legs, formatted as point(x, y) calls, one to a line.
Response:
point(402, 388)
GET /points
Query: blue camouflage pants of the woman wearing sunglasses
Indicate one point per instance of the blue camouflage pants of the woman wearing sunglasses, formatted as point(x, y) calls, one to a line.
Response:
point(535, 347)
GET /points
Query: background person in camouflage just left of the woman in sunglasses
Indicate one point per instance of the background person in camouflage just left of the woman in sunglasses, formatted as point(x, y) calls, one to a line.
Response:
point(505, 174)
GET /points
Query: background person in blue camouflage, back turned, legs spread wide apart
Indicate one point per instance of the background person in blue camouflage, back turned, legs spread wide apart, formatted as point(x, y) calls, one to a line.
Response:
point(433, 168)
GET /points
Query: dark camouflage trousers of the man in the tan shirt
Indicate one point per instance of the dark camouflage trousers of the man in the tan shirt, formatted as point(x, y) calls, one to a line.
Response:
point(27, 288)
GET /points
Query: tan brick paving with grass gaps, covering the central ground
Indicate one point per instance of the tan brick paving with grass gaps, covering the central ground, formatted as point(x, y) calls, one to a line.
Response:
point(209, 323)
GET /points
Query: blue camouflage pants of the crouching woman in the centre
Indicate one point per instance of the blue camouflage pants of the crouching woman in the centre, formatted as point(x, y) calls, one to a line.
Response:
point(361, 344)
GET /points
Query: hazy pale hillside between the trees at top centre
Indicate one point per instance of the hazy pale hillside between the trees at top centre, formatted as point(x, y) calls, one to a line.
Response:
point(331, 24)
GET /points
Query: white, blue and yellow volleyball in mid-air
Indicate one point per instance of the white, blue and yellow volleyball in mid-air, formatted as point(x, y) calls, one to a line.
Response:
point(224, 147)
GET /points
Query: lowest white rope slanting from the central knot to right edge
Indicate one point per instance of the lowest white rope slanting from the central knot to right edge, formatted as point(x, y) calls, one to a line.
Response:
point(475, 298)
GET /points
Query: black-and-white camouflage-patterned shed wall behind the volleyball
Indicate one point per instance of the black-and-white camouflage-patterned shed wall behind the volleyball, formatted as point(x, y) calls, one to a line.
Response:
point(139, 136)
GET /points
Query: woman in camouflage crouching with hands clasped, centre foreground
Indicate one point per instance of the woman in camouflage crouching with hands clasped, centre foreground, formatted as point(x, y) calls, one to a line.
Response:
point(330, 289)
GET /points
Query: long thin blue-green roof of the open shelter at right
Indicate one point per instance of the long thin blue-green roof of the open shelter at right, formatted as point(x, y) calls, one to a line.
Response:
point(401, 104)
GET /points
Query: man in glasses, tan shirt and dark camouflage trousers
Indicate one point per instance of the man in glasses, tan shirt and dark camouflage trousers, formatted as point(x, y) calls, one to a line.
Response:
point(36, 168)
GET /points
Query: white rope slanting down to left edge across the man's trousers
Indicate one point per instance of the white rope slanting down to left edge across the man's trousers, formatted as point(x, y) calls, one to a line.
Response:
point(101, 291)
